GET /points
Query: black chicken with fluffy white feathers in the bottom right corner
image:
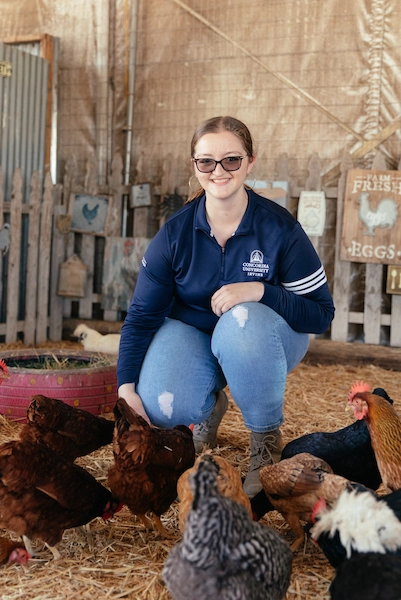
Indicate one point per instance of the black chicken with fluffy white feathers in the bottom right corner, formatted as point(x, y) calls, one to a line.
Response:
point(360, 535)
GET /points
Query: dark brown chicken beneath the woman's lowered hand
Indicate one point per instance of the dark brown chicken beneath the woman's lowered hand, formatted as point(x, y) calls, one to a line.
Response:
point(148, 463)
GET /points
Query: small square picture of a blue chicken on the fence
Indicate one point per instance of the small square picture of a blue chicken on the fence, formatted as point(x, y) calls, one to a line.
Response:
point(89, 214)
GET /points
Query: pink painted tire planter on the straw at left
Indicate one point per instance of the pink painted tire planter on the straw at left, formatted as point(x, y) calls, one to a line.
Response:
point(92, 388)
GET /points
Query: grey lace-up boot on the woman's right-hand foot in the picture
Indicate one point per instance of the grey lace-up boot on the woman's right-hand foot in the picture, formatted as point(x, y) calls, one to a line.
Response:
point(265, 450)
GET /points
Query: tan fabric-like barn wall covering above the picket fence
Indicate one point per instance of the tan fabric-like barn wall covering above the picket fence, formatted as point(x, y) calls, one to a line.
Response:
point(343, 54)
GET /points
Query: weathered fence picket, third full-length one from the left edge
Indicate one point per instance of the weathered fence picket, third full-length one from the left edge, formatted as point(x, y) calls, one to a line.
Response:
point(46, 222)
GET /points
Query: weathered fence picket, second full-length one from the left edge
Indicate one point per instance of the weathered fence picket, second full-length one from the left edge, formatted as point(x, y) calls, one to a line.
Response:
point(32, 260)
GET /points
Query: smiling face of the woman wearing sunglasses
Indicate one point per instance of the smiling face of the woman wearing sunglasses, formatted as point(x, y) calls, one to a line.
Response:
point(219, 183)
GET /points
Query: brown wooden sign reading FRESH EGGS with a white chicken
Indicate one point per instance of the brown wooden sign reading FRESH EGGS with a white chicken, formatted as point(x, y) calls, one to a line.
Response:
point(371, 230)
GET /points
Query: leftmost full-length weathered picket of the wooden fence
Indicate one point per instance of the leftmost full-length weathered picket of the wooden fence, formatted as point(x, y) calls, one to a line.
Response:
point(14, 258)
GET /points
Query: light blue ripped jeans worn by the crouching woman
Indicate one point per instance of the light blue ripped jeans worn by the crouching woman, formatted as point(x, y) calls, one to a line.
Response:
point(252, 349)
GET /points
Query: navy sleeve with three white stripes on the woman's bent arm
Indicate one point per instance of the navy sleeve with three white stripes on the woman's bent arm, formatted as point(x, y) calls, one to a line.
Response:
point(302, 296)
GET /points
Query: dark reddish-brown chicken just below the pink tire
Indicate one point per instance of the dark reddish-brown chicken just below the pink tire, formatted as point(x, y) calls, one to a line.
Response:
point(69, 431)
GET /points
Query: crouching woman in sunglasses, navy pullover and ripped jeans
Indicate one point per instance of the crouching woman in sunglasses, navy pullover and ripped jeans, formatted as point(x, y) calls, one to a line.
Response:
point(229, 289)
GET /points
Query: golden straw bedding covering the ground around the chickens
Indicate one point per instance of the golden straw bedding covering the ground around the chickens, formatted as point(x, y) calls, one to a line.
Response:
point(118, 560)
